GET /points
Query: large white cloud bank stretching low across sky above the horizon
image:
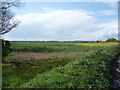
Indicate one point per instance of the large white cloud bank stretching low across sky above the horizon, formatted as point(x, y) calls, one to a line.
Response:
point(60, 25)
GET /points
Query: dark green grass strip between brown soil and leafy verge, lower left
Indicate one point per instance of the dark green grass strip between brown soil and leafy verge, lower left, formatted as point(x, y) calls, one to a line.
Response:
point(14, 75)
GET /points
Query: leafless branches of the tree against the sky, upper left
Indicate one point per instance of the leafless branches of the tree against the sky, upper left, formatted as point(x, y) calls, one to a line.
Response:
point(7, 22)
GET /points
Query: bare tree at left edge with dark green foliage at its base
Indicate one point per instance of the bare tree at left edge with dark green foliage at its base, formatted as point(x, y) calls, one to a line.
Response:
point(7, 23)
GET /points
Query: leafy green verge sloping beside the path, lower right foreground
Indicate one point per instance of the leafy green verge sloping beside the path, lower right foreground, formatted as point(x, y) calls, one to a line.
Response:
point(88, 72)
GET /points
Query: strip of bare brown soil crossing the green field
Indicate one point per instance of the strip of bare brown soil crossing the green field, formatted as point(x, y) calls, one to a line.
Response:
point(31, 56)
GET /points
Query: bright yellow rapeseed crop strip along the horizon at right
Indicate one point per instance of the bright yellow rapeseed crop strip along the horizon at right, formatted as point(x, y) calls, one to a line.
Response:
point(99, 44)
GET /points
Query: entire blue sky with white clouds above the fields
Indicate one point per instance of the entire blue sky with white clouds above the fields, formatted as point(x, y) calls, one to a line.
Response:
point(65, 21)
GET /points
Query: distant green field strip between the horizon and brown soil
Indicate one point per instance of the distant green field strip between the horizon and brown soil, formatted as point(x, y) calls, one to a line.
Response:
point(48, 47)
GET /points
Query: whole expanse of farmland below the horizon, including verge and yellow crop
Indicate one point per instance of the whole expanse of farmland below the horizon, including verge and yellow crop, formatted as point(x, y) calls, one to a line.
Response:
point(59, 65)
